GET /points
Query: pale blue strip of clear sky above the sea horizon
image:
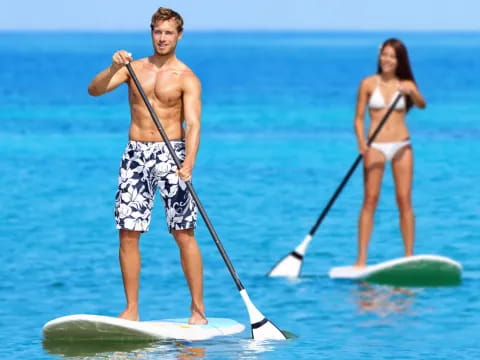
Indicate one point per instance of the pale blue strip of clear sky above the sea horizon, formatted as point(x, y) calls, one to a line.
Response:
point(244, 14)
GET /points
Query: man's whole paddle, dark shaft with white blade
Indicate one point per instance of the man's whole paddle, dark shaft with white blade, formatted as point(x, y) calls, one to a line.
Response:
point(262, 328)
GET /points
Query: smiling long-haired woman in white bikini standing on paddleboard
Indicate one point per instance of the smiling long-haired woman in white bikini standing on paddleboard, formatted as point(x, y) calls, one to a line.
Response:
point(392, 143)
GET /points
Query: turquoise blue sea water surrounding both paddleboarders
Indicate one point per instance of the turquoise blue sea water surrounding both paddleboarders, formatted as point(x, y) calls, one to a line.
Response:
point(277, 139)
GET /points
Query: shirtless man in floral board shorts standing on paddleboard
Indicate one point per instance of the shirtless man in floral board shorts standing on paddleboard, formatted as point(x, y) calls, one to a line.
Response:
point(174, 92)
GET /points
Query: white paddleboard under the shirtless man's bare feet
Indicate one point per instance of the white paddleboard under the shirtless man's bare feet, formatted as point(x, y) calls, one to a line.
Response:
point(96, 327)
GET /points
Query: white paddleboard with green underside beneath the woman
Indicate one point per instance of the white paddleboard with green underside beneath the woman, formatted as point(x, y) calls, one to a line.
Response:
point(418, 270)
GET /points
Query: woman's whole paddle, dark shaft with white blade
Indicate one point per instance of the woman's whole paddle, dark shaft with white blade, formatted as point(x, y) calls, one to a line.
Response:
point(291, 264)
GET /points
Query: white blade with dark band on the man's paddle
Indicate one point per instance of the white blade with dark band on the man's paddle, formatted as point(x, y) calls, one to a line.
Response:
point(262, 328)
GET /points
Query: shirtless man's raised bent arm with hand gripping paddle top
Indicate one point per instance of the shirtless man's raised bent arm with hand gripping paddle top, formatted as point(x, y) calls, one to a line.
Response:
point(110, 78)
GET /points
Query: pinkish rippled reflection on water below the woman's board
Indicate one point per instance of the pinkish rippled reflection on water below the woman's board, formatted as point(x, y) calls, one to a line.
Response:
point(383, 300)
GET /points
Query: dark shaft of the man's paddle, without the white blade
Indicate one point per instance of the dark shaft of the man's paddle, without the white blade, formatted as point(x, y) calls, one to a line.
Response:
point(200, 207)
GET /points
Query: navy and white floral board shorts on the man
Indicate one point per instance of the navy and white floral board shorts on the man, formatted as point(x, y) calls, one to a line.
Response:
point(145, 167)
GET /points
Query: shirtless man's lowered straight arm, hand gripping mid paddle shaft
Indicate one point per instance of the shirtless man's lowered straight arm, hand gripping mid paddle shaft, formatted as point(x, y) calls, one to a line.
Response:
point(192, 107)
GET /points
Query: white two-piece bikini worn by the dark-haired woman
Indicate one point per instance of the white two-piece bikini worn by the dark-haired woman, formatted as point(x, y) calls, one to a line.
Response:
point(377, 102)
